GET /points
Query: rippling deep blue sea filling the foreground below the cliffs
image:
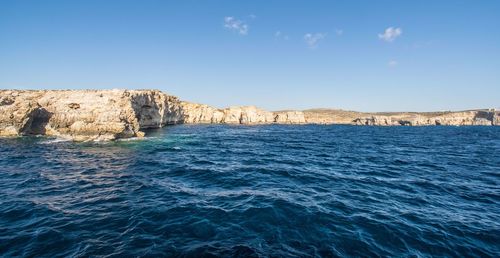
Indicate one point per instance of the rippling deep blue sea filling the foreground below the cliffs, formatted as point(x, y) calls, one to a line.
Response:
point(255, 191)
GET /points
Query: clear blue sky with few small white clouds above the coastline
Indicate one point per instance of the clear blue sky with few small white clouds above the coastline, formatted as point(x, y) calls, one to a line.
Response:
point(439, 55)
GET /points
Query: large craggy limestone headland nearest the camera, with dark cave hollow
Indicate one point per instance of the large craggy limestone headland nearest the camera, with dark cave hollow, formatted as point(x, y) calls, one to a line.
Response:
point(84, 115)
